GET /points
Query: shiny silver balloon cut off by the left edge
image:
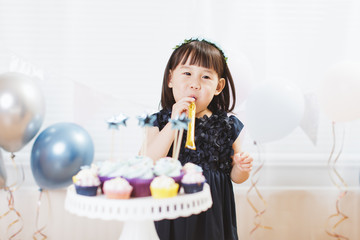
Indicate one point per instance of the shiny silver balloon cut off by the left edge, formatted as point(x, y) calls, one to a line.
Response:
point(22, 110)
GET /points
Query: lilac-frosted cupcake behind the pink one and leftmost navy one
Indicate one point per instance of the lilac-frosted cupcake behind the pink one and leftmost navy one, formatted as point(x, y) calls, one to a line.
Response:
point(109, 170)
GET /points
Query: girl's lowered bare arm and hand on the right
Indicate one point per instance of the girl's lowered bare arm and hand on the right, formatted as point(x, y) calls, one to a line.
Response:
point(242, 163)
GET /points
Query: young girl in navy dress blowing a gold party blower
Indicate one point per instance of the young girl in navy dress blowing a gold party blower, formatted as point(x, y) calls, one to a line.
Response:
point(197, 72)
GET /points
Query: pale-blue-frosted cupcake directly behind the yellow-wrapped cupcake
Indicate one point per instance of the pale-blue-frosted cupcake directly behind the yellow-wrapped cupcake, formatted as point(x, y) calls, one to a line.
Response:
point(169, 167)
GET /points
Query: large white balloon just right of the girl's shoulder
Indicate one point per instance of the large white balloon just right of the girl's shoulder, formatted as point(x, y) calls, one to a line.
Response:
point(273, 110)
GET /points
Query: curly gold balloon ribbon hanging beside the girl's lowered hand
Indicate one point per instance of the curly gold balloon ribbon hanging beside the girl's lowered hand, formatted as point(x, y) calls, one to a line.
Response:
point(258, 213)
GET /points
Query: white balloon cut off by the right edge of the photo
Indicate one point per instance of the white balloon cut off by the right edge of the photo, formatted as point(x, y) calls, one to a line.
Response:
point(339, 92)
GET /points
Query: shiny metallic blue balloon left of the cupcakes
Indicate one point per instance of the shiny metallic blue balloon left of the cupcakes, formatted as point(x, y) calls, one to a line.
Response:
point(58, 153)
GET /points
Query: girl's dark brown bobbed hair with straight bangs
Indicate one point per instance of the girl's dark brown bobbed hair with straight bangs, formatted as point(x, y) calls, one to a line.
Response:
point(204, 54)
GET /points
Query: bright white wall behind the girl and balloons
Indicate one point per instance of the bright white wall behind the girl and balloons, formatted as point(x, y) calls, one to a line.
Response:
point(99, 58)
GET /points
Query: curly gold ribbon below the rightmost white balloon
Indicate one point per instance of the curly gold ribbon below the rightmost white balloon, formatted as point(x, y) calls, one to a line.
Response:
point(342, 188)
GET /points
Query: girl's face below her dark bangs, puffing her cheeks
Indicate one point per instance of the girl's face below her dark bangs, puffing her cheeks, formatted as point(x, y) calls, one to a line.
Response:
point(196, 82)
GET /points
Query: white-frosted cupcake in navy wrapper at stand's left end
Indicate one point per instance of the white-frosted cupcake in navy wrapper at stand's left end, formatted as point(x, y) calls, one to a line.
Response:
point(86, 181)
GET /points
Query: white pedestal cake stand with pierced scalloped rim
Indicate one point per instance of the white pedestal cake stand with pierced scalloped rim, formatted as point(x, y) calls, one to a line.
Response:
point(138, 213)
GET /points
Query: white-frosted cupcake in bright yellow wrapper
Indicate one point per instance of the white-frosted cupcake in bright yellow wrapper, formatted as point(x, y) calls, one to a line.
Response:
point(163, 187)
